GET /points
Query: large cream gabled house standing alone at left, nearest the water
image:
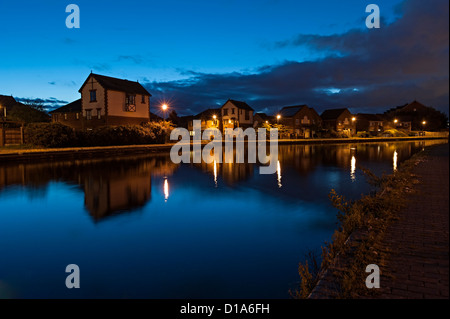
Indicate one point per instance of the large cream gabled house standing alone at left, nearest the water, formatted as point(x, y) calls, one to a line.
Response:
point(111, 101)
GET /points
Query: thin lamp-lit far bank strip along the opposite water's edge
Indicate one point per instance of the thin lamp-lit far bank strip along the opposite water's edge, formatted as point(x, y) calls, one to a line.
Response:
point(23, 155)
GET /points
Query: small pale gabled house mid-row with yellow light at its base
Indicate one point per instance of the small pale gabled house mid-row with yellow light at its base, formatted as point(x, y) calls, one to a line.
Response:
point(236, 114)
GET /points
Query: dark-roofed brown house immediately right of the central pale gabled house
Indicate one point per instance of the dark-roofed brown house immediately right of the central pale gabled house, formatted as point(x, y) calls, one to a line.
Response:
point(301, 120)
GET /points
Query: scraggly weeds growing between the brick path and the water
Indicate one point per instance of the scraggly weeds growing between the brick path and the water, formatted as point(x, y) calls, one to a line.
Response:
point(362, 225)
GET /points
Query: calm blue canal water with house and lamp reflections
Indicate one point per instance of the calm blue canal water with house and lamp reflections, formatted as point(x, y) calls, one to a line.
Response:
point(143, 227)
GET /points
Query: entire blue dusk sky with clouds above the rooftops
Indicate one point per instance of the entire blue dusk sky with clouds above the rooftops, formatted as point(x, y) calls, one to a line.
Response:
point(197, 54)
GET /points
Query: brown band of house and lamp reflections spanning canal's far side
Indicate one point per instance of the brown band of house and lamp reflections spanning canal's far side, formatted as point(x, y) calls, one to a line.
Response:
point(123, 185)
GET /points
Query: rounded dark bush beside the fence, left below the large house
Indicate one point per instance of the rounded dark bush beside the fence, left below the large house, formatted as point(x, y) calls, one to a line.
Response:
point(50, 135)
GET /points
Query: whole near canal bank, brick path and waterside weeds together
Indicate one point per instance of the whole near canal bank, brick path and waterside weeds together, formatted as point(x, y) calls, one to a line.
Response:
point(411, 248)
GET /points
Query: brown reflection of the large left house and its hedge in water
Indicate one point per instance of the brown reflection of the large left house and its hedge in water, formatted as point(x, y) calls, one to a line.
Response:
point(110, 187)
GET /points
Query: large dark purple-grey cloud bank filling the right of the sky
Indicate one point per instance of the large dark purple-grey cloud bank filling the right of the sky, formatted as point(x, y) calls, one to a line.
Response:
point(363, 69)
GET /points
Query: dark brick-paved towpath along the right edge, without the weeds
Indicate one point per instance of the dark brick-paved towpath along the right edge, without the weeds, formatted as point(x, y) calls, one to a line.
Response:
point(419, 260)
